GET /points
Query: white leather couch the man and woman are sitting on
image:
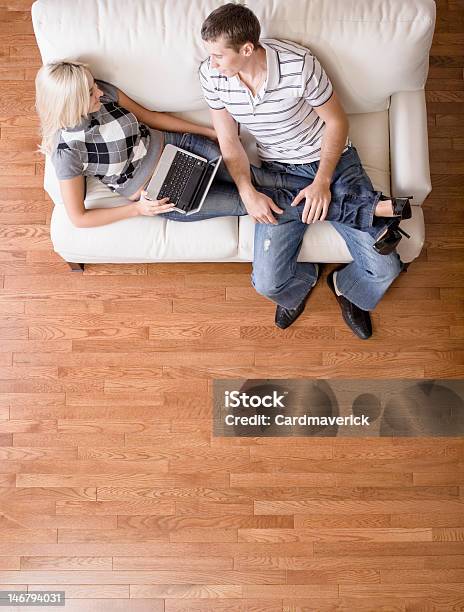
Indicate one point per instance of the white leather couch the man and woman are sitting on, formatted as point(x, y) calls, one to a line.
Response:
point(375, 52)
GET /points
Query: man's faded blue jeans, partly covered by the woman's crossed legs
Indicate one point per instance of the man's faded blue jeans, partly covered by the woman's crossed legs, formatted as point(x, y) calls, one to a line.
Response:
point(279, 276)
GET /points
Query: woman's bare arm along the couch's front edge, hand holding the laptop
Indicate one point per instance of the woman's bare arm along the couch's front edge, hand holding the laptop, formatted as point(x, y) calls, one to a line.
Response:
point(72, 191)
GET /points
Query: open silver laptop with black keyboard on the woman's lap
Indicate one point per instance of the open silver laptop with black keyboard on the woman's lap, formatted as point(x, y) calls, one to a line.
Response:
point(184, 178)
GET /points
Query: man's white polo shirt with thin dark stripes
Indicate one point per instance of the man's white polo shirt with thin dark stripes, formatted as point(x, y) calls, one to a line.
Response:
point(281, 116)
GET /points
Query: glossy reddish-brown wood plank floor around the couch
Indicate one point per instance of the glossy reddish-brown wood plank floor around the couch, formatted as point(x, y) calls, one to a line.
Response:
point(111, 486)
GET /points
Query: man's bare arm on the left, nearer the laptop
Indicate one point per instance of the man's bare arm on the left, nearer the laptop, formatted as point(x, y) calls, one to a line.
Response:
point(257, 204)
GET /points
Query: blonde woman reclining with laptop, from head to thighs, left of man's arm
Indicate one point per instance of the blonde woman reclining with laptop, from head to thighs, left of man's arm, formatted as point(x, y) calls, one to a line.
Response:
point(91, 128)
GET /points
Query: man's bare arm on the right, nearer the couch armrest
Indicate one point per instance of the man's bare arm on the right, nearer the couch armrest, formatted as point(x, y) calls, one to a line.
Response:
point(333, 142)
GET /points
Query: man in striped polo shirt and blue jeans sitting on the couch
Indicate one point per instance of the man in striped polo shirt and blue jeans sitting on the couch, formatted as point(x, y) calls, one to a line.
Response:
point(280, 92)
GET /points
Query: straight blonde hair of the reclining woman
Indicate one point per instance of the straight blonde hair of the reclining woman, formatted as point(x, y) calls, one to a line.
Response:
point(62, 98)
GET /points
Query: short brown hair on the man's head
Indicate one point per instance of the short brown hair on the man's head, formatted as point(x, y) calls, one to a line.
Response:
point(235, 22)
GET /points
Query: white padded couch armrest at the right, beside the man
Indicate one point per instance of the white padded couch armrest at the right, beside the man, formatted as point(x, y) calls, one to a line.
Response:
point(409, 150)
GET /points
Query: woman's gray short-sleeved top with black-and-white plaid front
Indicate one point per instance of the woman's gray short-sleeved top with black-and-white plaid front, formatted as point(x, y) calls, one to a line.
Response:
point(109, 144)
